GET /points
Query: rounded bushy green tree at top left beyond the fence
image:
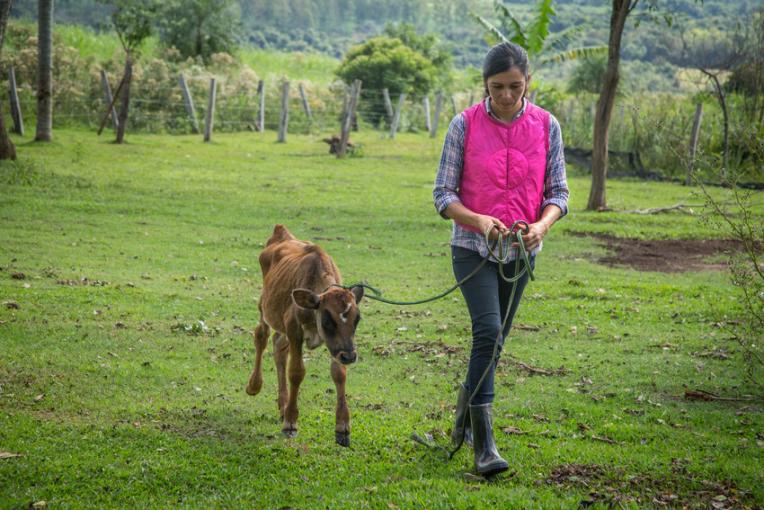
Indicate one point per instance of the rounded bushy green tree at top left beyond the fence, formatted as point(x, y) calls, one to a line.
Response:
point(200, 27)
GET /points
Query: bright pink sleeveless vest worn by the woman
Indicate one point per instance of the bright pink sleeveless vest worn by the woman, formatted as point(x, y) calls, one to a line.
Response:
point(505, 164)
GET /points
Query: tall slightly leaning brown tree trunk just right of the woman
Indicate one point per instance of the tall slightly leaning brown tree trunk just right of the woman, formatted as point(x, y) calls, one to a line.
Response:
point(597, 195)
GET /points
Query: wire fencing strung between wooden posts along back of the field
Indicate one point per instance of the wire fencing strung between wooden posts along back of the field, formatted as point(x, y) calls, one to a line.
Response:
point(646, 138)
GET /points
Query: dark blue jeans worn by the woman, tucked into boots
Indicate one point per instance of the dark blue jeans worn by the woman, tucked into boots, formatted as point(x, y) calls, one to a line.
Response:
point(487, 296)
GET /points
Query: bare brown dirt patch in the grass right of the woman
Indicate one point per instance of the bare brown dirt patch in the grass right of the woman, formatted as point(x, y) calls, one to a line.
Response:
point(665, 255)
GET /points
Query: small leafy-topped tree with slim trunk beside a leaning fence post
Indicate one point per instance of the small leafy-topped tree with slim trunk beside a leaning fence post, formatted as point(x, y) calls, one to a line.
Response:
point(132, 22)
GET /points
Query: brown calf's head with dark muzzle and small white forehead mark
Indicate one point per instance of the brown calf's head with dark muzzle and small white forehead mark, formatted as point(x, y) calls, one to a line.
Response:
point(337, 316)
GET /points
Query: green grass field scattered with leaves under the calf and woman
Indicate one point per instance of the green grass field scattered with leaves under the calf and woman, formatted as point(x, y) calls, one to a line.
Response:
point(115, 395)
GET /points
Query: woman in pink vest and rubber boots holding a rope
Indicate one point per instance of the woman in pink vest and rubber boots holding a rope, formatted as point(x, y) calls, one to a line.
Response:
point(502, 162)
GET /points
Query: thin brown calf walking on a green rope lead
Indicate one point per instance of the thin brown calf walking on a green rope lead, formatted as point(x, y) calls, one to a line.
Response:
point(300, 304)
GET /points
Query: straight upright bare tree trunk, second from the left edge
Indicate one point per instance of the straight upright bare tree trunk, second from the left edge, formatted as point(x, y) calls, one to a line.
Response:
point(44, 70)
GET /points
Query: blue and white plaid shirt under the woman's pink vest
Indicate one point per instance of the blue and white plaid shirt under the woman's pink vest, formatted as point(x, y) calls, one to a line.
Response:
point(446, 190)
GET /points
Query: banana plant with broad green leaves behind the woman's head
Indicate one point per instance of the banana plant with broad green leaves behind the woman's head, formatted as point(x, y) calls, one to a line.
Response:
point(542, 46)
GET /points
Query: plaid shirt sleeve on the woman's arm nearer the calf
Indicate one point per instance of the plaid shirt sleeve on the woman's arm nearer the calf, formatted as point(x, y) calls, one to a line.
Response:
point(450, 168)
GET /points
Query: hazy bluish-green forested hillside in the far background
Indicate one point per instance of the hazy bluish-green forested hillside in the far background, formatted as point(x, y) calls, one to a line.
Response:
point(330, 27)
